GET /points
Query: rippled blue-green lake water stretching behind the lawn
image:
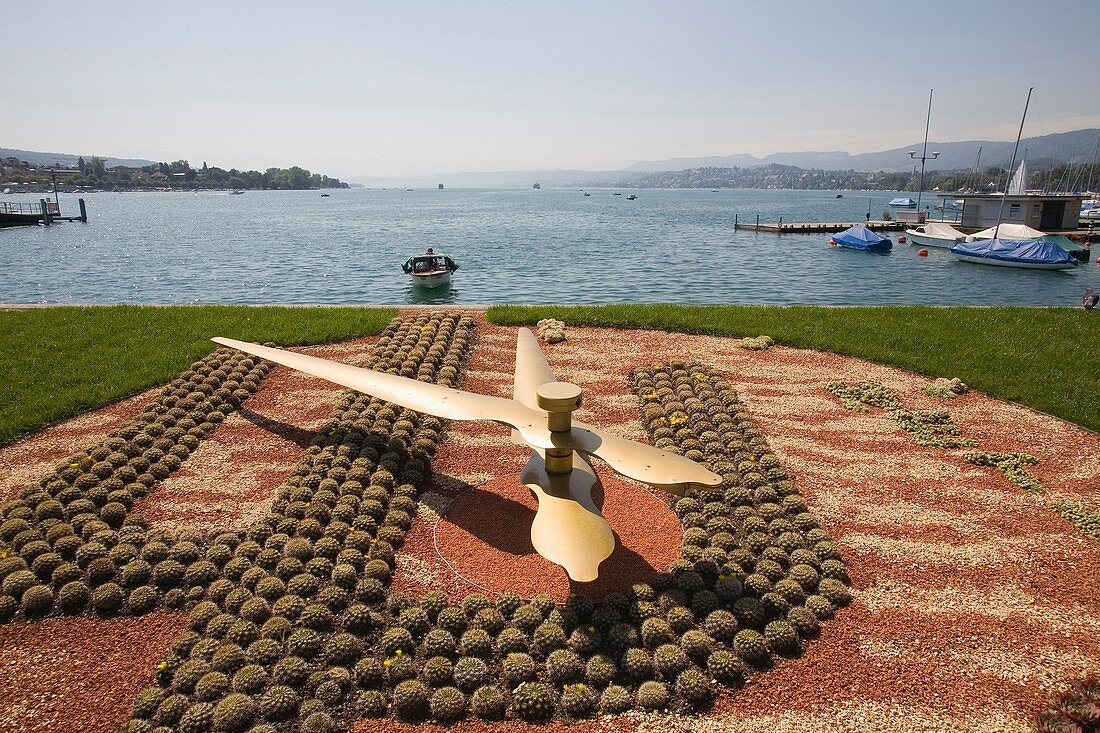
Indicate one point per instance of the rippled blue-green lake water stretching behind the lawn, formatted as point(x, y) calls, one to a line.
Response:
point(519, 247)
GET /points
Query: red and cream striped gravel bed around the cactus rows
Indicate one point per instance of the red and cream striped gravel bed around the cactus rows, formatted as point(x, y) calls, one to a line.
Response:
point(934, 641)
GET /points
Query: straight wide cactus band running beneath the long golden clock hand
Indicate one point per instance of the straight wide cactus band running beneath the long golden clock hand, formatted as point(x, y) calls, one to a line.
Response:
point(285, 636)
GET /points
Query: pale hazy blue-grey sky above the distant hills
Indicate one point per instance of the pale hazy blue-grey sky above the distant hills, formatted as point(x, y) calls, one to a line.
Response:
point(358, 90)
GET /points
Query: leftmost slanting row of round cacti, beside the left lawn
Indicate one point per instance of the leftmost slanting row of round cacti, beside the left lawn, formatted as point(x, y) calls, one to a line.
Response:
point(69, 543)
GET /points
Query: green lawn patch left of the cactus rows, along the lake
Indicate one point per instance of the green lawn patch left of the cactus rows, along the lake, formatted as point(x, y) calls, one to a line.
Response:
point(58, 363)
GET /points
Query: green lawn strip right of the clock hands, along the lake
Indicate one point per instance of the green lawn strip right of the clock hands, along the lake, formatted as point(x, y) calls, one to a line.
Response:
point(1043, 358)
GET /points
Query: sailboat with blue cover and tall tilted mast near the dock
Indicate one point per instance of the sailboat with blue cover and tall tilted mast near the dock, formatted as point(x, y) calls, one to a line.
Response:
point(1026, 254)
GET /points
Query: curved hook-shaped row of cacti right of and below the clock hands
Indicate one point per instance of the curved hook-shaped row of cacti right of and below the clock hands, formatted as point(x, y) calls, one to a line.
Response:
point(733, 603)
